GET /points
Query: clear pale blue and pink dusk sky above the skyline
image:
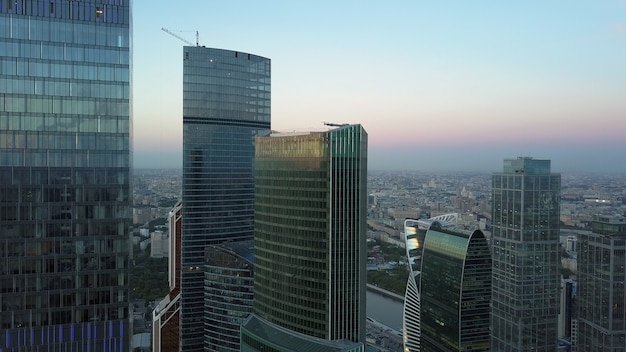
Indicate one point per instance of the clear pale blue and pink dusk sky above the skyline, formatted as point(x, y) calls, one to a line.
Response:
point(438, 85)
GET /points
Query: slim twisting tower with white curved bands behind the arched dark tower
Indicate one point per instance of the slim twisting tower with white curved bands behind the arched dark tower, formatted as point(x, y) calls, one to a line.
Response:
point(415, 233)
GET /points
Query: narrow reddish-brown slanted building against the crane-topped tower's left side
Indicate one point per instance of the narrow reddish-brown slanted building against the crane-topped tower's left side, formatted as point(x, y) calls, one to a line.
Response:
point(166, 315)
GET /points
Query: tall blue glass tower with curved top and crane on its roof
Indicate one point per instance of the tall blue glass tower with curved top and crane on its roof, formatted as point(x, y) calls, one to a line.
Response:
point(226, 102)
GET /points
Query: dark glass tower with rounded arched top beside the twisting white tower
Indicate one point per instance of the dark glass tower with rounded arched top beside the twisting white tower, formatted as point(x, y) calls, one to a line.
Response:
point(455, 290)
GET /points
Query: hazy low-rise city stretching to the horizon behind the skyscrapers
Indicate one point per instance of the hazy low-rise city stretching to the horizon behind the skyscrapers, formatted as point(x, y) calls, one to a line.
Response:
point(397, 195)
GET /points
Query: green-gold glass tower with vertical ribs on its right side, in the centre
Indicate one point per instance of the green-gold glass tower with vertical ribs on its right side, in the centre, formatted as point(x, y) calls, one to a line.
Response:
point(310, 242)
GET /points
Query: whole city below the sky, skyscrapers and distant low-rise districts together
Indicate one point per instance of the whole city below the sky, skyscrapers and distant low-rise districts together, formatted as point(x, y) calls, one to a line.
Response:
point(270, 241)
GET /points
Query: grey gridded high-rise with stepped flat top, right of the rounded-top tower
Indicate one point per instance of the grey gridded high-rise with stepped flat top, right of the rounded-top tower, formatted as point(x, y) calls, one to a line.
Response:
point(526, 256)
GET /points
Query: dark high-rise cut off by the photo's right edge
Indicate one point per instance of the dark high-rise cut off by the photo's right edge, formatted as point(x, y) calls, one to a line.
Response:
point(601, 298)
